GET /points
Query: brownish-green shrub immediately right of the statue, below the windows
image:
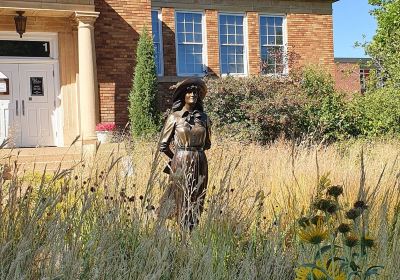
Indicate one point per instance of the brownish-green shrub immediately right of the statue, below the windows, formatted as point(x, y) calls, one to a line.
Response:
point(257, 108)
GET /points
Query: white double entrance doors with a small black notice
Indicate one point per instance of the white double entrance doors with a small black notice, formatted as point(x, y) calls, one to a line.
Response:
point(31, 105)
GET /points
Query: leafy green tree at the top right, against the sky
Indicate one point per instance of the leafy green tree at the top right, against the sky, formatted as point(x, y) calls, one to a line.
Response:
point(385, 46)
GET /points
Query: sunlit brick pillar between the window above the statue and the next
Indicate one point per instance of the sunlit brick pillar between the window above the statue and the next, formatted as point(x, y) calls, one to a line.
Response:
point(212, 42)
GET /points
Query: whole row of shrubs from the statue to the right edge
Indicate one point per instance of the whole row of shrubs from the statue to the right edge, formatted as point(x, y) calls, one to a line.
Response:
point(306, 106)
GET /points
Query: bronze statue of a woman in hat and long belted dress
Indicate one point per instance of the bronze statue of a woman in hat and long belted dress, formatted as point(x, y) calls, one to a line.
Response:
point(188, 129)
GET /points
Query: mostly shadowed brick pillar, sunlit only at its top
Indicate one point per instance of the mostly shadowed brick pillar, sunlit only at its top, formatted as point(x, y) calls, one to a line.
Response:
point(168, 31)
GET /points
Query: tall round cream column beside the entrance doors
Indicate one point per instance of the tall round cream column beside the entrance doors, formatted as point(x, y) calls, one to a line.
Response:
point(88, 108)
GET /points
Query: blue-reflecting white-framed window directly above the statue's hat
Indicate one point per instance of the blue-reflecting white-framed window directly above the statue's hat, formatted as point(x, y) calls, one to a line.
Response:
point(190, 47)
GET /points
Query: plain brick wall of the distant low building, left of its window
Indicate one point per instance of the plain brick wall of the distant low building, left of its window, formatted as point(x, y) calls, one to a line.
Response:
point(347, 77)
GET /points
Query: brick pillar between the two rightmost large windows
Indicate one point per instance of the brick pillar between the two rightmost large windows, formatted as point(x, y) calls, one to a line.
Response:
point(254, 43)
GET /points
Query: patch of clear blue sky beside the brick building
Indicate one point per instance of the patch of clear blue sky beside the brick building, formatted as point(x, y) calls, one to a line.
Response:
point(351, 19)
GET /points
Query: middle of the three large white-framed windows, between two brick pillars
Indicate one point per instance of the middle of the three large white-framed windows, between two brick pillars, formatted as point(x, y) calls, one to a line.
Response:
point(232, 46)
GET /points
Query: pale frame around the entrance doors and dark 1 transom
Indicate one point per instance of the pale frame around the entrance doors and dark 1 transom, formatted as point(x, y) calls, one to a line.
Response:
point(52, 37)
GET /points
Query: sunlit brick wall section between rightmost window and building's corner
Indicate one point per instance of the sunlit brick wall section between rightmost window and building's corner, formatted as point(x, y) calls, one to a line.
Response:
point(310, 40)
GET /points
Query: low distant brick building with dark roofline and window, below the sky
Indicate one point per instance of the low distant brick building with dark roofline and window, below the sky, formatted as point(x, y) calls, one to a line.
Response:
point(351, 74)
